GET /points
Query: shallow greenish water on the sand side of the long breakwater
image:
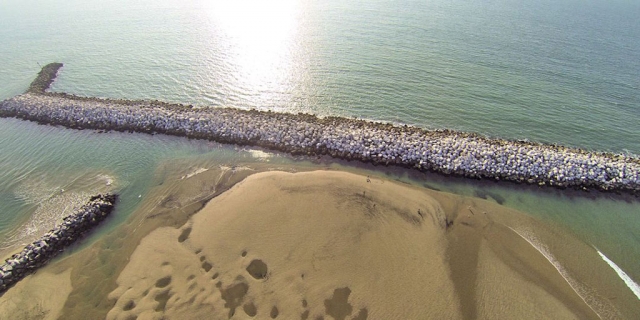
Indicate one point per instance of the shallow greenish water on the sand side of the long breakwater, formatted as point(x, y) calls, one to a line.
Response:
point(85, 161)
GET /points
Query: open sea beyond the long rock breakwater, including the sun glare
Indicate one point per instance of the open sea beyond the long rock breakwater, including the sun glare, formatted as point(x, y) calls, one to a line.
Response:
point(553, 71)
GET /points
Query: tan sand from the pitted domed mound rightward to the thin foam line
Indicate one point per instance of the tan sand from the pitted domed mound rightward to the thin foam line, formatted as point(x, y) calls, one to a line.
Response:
point(334, 245)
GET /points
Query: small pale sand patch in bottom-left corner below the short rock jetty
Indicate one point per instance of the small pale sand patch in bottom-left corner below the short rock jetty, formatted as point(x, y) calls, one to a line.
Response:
point(38, 296)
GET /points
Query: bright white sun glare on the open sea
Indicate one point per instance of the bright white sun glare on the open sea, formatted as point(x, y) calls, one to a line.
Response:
point(260, 41)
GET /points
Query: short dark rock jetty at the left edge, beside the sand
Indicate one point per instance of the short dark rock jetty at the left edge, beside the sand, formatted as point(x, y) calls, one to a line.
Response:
point(39, 252)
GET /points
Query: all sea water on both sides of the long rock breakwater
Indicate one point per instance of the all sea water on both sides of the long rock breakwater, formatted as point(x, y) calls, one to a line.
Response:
point(563, 72)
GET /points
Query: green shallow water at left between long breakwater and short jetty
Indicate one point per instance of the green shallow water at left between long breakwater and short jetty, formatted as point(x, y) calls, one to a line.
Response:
point(46, 171)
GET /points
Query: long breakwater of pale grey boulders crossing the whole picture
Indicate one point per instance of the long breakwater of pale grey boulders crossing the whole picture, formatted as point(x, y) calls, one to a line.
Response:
point(444, 151)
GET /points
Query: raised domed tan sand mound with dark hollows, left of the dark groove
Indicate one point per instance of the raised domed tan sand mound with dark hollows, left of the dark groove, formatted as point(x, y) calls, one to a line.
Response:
point(254, 251)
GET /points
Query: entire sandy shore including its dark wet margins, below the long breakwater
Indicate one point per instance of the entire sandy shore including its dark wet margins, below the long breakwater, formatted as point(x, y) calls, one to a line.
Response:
point(322, 245)
